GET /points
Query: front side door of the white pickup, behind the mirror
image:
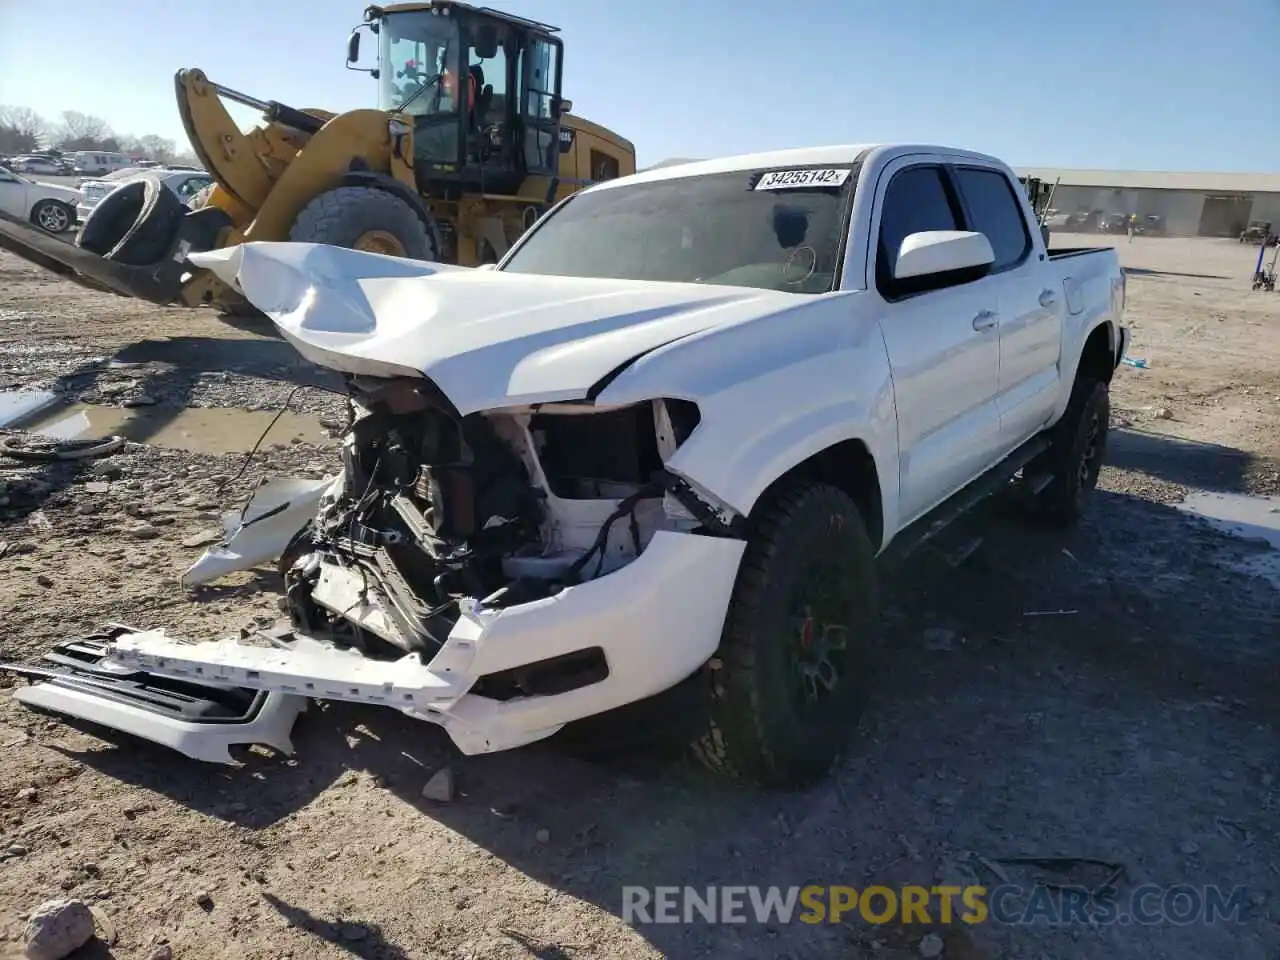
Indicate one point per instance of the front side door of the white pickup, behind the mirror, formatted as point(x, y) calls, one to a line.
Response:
point(943, 346)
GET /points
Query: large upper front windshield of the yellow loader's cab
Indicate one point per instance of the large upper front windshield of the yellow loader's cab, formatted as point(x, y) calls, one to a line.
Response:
point(418, 63)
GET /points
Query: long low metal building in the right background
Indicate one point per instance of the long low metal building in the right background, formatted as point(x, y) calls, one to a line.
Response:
point(1192, 204)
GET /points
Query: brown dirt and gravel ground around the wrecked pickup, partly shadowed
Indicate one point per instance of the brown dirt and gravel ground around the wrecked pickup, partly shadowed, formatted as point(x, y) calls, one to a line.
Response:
point(1135, 724)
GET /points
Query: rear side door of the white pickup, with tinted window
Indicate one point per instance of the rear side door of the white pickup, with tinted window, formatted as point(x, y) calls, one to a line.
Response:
point(1031, 309)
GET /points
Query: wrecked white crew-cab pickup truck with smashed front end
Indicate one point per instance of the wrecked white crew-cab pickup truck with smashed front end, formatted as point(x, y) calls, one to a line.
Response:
point(661, 446)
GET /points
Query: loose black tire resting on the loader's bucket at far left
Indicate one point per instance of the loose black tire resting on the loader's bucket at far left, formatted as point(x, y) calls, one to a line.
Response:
point(135, 225)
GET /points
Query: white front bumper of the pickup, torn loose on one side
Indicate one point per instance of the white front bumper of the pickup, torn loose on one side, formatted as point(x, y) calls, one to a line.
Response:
point(656, 620)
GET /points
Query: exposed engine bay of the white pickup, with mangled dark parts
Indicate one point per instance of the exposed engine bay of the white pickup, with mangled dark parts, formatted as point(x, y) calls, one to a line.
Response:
point(505, 508)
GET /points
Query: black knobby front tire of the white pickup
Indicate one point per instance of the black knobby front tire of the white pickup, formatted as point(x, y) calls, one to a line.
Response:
point(756, 730)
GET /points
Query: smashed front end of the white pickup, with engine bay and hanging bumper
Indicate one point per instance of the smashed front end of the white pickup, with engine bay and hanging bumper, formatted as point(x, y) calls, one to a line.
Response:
point(501, 573)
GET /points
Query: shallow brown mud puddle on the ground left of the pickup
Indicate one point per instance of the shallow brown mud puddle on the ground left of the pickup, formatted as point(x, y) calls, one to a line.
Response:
point(196, 429)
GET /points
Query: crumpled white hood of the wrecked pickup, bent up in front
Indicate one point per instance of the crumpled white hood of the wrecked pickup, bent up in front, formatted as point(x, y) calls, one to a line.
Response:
point(486, 339)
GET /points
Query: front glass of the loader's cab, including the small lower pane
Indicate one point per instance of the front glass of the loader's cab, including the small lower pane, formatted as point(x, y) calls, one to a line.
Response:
point(420, 77)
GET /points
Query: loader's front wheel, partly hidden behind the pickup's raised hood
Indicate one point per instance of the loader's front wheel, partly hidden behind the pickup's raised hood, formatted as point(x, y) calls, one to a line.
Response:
point(367, 218)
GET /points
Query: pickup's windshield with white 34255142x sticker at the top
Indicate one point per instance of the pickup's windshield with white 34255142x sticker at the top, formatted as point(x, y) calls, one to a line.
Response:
point(780, 230)
